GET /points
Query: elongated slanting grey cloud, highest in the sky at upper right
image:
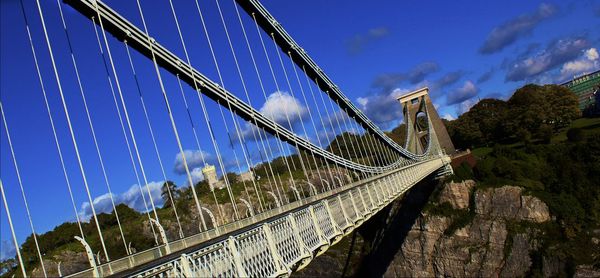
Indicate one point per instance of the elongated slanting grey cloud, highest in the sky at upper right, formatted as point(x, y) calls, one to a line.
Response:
point(510, 31)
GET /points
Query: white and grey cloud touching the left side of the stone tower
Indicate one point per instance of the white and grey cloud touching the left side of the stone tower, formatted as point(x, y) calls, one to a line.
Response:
point(383, 108)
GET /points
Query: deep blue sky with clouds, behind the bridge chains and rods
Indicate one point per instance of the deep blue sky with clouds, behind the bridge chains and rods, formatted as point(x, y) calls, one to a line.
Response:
point(463, 51)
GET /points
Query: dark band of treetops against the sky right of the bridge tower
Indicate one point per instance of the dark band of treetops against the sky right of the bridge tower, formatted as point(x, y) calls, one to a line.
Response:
point(532, 113)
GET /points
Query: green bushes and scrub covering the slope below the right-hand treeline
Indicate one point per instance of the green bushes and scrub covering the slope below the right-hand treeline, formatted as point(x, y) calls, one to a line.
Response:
point(564, 176)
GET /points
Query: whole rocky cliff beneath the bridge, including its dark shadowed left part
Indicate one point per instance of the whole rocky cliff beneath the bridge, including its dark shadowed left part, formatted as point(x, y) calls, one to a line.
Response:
point(463, 230)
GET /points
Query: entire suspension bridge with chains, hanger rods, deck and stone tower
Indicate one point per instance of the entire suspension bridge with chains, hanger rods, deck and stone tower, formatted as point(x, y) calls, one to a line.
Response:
point(318, 166)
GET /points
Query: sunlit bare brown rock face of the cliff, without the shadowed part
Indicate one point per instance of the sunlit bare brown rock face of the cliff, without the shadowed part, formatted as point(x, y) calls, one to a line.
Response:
point(482, 247)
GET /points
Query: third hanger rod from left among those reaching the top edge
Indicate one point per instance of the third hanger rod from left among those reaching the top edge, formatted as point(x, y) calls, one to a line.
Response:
point(87, 112)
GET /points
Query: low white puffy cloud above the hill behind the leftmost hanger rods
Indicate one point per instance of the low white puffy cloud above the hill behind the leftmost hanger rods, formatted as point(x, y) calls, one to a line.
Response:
point(132, 198)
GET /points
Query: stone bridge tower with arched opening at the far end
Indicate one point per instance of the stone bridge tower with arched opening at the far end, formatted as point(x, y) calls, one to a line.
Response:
point(416, 106)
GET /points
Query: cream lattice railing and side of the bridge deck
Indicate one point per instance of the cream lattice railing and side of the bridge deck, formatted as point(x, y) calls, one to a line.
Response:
point(316, 222)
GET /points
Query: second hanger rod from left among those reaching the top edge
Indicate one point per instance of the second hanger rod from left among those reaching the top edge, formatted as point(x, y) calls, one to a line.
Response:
point(71, 131)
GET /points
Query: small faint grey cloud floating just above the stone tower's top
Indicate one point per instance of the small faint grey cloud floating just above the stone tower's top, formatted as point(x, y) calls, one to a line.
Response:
point(388, 81)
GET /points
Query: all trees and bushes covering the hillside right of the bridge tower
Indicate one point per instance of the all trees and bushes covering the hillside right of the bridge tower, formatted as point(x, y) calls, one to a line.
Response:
point(534, 140)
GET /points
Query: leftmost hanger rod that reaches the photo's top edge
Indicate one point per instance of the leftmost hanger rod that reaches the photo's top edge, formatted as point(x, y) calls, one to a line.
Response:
point(48, 110)
